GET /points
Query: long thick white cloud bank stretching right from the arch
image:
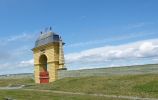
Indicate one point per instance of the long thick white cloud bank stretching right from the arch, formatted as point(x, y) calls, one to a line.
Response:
point(136, 50)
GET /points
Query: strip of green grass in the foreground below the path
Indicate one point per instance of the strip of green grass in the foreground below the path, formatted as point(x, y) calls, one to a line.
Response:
point(30, 95)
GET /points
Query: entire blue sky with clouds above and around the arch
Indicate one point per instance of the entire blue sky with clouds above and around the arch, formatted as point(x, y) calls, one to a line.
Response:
point(97, 33)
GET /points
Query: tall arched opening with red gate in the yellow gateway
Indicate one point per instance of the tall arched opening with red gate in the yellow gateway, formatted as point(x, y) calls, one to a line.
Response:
point(44, 75)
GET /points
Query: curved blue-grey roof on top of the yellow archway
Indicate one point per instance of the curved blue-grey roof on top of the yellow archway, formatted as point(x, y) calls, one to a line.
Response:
point(46, 38)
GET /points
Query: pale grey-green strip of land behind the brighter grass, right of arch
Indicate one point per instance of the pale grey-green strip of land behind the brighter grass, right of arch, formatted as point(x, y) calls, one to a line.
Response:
point(113, 71)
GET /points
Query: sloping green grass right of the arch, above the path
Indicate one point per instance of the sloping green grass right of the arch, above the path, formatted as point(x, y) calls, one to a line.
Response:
point(130, 85)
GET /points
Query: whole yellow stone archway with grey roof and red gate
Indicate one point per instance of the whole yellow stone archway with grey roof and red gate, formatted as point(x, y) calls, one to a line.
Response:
point(48, 57)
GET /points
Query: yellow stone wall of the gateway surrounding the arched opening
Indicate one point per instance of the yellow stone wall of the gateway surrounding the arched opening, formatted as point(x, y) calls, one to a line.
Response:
point(52, 53)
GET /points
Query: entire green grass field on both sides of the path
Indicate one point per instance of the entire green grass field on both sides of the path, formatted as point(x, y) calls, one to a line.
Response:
point(141, 85)
